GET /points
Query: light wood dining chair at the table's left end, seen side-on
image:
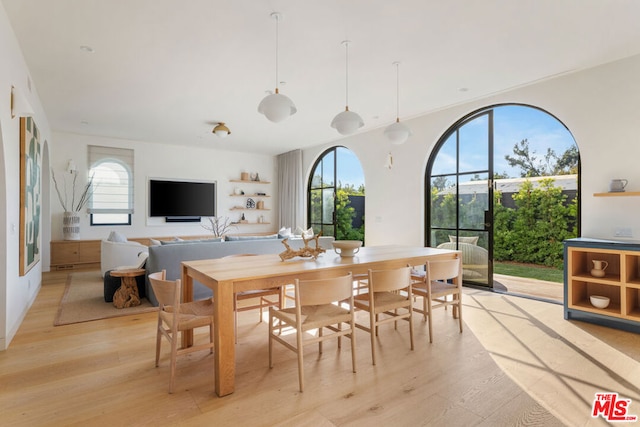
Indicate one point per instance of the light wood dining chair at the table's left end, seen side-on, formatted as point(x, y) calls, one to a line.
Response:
point(174, 317)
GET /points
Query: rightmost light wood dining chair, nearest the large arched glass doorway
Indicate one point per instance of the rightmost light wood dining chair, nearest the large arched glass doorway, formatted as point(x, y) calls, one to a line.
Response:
point(440, 280)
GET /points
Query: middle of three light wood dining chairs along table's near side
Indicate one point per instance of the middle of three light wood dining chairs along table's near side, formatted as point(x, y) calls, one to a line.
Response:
point(388, 299)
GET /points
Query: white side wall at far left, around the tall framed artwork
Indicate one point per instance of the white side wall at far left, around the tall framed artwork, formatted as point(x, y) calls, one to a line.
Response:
point(16, 293)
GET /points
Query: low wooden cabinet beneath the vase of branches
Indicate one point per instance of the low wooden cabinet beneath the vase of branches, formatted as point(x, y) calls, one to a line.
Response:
point(75, 254)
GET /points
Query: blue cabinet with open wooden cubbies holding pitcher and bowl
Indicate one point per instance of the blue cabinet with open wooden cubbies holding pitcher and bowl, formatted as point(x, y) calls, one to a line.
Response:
point(620, 283)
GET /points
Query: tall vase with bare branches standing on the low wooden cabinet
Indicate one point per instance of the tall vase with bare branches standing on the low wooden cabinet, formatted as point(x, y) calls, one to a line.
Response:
point(72, 208)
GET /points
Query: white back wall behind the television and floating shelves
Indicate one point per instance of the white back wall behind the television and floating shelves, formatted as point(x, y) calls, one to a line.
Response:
point(152, 160)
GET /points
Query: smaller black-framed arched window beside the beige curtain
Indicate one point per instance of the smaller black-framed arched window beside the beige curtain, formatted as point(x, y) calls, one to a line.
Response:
point(335, 195)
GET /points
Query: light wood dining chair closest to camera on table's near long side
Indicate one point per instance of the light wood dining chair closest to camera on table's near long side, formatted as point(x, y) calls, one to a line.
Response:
point(318, 307)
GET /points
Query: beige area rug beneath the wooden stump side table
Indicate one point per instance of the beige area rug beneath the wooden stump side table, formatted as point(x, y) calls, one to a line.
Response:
point(83, 301)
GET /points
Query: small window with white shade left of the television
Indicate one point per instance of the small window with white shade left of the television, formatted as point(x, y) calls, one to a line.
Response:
point(112, 199)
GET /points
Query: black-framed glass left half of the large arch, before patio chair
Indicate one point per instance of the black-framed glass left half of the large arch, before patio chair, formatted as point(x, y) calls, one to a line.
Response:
point(460, 187)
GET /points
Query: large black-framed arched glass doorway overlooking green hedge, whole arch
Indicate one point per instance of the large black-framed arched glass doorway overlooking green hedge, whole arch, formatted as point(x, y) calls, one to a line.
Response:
point(502, 187)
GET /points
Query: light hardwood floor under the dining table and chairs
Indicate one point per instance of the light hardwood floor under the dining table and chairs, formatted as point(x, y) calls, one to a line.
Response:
point(518, 362)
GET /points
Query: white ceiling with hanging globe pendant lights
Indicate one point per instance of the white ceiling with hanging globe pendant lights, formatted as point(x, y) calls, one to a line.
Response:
point(167, 71)
